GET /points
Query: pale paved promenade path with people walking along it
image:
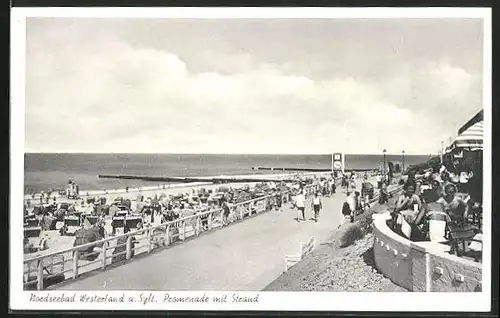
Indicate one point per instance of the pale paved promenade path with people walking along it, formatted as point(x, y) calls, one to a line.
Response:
point(246, 256)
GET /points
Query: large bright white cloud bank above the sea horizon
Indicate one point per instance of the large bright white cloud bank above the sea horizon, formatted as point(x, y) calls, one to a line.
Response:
point(93, 92)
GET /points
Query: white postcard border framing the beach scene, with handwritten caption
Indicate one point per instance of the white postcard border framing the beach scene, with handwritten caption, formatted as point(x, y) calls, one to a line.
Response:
point(323, 301)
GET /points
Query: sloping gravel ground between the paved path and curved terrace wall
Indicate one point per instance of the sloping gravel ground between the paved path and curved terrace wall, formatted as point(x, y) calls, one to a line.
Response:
point(338, 270)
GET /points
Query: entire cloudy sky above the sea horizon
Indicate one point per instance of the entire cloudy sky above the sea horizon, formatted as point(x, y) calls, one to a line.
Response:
point(305, 86)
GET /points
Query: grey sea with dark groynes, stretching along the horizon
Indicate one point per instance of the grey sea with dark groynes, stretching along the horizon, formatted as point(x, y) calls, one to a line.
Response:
point(43, 171)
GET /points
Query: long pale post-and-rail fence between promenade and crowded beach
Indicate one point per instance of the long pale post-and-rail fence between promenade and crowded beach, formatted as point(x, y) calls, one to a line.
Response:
point(147, 240)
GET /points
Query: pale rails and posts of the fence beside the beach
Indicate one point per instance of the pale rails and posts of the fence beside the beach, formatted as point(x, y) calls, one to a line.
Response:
point(76, 250)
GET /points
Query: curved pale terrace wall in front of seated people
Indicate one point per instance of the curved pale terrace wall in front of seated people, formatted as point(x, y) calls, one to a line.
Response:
point(421, 266)
